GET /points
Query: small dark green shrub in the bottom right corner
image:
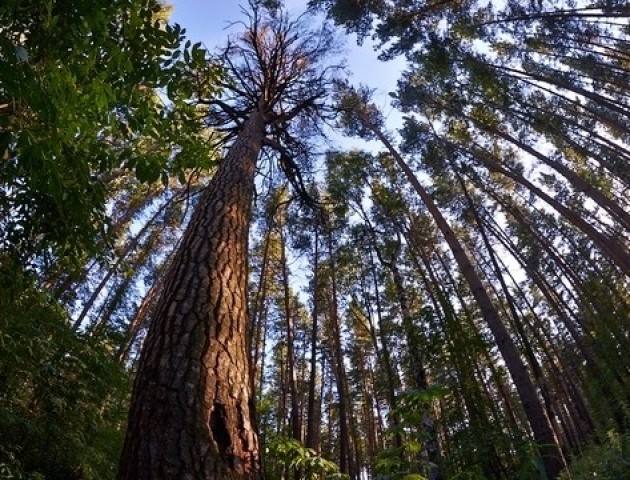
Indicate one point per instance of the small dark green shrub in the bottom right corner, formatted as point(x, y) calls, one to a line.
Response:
point(608, 461)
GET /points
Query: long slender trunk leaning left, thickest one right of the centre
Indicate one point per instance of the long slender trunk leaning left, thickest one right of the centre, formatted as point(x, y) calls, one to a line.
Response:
point(541, 428)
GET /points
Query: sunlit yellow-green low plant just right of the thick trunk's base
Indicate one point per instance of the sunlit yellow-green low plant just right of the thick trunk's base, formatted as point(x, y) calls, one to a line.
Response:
point(297, 461)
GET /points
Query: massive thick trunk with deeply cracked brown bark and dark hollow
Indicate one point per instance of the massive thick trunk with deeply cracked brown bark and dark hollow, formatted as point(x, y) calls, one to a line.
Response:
point(191, 413)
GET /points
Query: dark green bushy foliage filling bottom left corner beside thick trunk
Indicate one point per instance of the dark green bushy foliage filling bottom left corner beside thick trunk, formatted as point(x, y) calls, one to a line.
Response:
point(63, 397)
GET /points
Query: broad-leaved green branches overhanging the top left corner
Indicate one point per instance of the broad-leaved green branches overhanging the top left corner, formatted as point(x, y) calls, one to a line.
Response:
point(79, 85)
